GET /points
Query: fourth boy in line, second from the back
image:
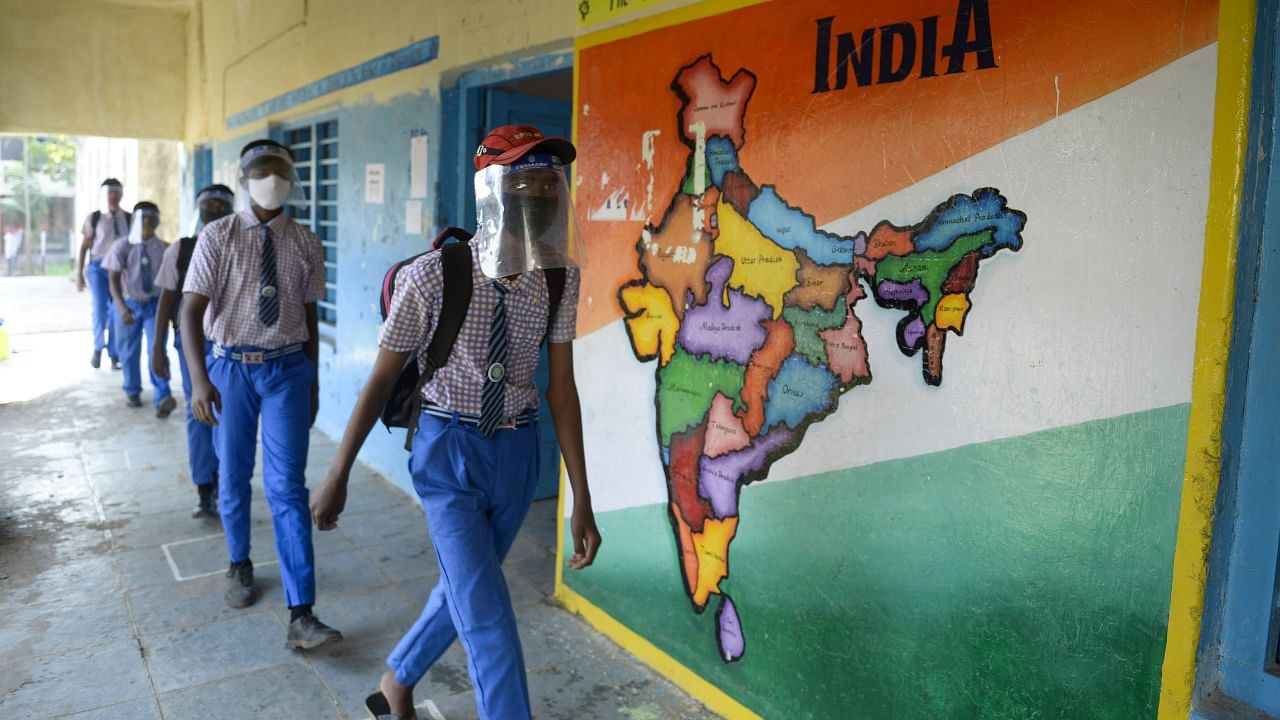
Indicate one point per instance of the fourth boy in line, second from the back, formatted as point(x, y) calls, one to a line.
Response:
point(132, 266)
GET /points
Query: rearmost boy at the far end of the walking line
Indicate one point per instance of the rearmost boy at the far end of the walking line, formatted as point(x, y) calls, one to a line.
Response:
point(102, 230)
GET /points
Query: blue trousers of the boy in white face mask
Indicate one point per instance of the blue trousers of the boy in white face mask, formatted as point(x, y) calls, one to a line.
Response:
point(280, 391)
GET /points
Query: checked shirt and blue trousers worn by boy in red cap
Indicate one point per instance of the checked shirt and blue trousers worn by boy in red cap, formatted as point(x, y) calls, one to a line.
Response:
point(476, 489)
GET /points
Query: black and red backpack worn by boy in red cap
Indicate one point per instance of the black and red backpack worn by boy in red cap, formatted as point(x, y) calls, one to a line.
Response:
point(454, 244)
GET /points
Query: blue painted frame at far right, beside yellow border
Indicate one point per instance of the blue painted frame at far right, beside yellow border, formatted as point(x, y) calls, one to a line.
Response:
point(1240, 658)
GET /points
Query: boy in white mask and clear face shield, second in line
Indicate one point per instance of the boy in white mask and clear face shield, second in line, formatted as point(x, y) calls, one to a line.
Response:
point(252, 290)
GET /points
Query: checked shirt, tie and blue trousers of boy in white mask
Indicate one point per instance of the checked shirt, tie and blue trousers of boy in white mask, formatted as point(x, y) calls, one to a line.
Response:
point(259, 279)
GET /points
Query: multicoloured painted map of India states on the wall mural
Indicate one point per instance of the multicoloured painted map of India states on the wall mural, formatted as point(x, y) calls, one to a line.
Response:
point(752, 316)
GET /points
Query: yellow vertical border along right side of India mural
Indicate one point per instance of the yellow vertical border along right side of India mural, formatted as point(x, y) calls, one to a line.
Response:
point(1213, 339)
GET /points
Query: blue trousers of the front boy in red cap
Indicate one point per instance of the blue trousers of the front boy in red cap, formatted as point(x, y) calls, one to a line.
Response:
point(476, 493)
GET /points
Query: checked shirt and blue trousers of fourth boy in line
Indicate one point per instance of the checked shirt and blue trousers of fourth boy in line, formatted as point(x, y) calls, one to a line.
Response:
point(138, 266)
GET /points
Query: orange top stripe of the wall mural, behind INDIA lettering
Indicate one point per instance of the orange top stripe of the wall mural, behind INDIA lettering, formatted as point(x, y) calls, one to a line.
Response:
point(834, 153)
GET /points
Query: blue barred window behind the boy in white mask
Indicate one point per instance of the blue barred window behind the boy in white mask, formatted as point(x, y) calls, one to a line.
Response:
point(316, 153)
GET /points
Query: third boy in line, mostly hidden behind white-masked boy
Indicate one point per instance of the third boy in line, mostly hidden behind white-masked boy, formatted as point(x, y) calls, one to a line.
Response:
point(212, 204)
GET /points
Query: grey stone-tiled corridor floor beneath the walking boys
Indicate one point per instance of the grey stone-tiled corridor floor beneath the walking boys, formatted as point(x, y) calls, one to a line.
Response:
point(112, 595)
